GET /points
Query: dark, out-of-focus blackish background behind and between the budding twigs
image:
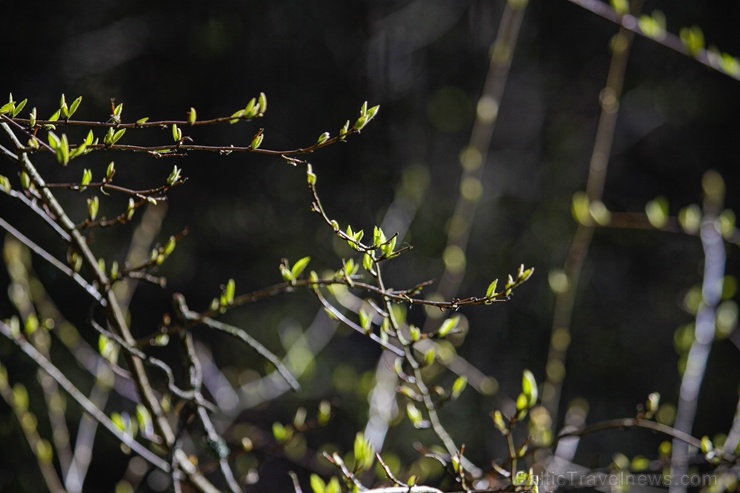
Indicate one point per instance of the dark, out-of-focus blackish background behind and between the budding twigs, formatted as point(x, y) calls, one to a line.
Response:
point(424, 63)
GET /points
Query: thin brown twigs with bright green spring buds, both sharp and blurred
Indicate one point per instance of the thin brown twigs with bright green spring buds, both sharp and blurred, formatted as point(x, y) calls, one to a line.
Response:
point(351, 284)
